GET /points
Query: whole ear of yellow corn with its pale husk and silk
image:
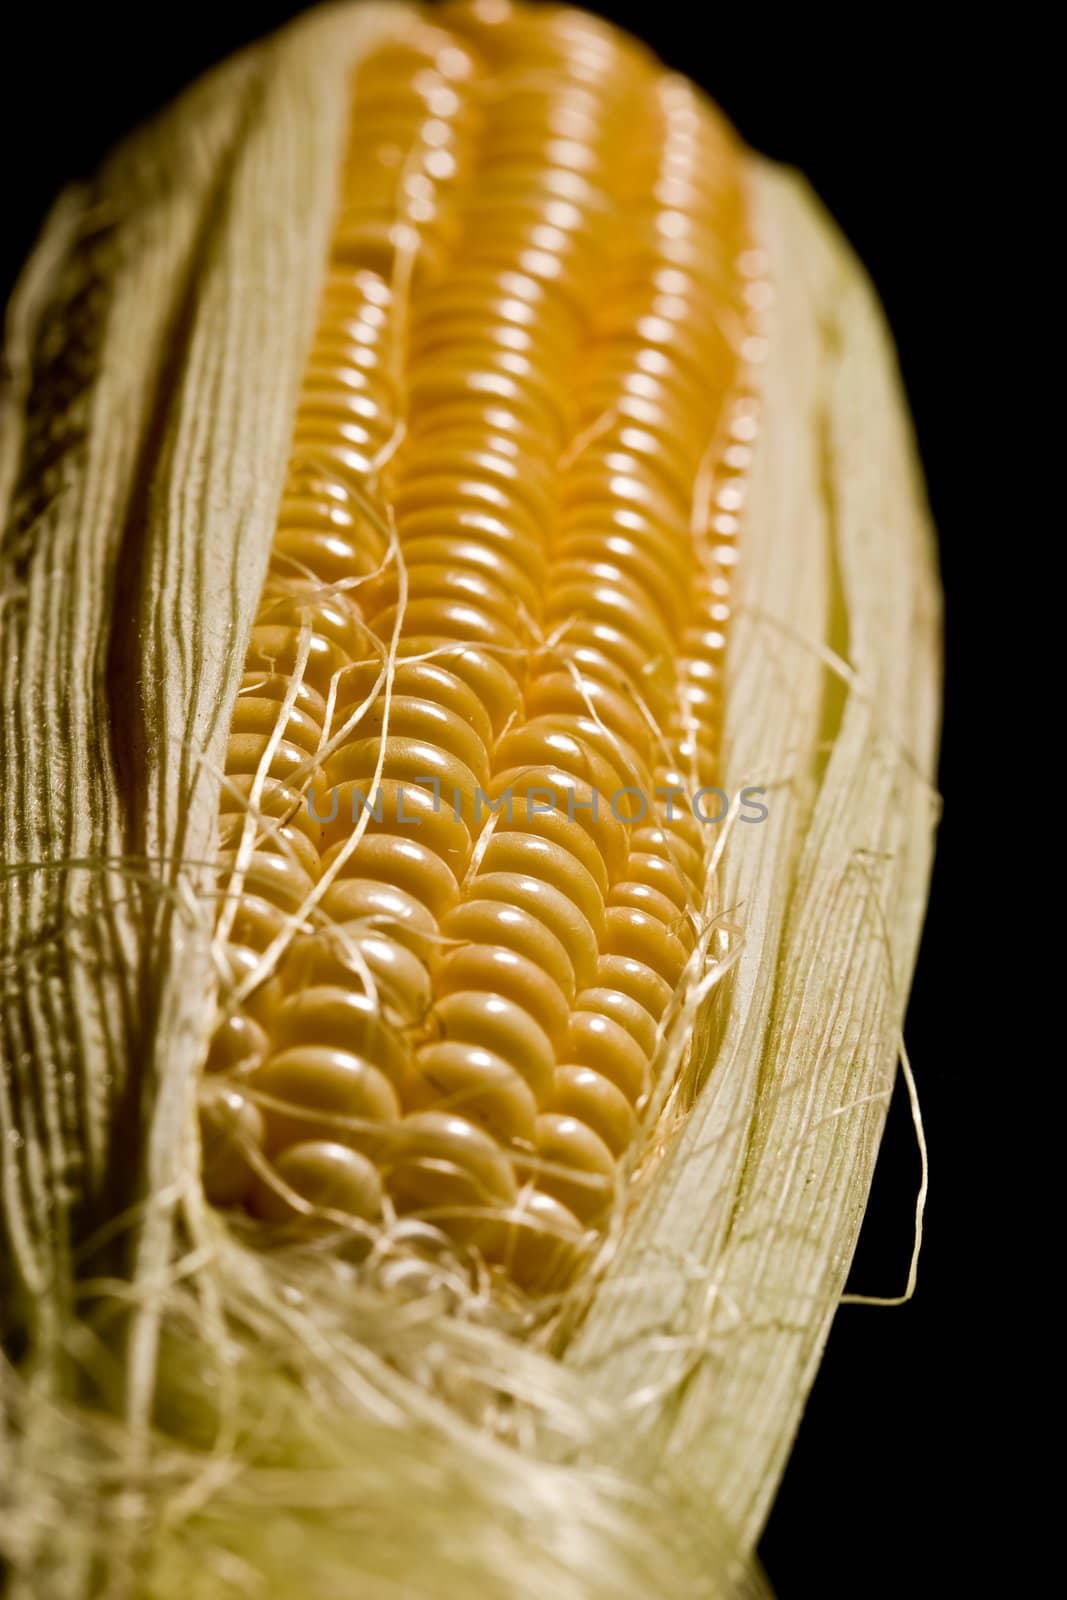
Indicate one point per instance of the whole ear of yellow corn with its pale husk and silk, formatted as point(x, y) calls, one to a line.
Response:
point(444, 481)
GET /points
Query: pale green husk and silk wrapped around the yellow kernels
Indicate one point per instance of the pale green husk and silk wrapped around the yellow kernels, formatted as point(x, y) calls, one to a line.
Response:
point(185, 1414)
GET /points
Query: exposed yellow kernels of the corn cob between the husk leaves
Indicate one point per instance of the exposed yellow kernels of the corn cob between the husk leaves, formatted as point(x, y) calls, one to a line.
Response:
point(529, 367)
